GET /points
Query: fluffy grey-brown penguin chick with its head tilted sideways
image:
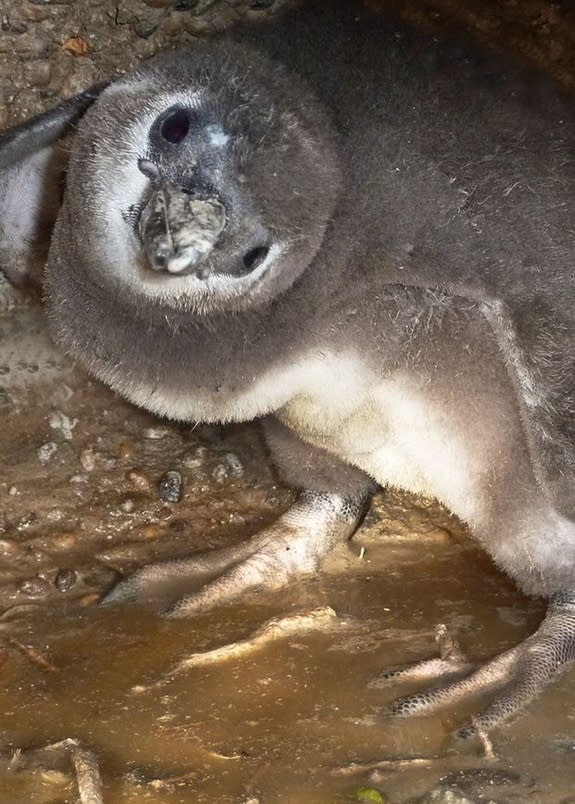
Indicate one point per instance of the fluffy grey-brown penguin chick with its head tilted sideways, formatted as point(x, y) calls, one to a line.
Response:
point(385, 279)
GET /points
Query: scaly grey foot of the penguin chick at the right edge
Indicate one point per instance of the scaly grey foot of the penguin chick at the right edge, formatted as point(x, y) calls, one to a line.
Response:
point(516, 676)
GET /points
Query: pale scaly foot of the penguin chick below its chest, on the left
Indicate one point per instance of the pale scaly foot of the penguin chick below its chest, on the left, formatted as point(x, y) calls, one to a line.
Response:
point(292, 546)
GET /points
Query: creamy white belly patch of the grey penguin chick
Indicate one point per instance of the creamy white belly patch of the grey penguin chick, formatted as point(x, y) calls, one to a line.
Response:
point(390, 430)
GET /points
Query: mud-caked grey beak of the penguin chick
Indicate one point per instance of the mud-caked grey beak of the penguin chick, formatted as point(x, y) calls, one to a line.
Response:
point(179, 231)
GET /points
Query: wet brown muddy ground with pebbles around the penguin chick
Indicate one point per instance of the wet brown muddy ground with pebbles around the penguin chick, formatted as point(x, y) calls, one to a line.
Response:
point(80, 504)
